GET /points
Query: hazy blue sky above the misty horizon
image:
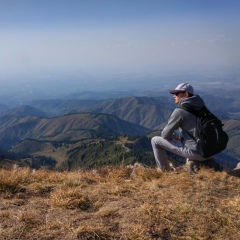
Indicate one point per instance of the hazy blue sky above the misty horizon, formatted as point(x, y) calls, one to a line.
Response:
point(40, 38)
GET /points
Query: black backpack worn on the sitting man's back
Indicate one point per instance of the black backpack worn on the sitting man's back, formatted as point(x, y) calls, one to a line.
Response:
point(211, 138)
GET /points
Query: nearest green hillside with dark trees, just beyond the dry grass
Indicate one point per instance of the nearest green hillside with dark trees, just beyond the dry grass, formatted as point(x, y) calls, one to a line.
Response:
point(85, 153)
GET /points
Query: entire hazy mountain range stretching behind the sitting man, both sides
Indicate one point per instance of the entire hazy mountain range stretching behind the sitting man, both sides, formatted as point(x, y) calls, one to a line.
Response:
point(44, 126)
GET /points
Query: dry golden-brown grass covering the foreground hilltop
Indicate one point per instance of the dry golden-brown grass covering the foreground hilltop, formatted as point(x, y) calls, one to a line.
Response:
point(114, 203)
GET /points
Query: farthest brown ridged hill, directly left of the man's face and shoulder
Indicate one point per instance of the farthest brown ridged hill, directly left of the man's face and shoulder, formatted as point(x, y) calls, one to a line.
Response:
point(144, 111)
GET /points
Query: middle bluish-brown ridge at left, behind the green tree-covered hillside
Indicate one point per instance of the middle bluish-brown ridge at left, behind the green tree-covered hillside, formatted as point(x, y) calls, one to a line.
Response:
point(71, 127)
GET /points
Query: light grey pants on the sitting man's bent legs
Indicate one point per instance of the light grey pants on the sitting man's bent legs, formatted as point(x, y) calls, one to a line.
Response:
point(161, 145)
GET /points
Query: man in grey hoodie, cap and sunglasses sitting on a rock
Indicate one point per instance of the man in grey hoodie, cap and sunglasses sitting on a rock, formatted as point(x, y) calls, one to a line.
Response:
point(180, 143)
